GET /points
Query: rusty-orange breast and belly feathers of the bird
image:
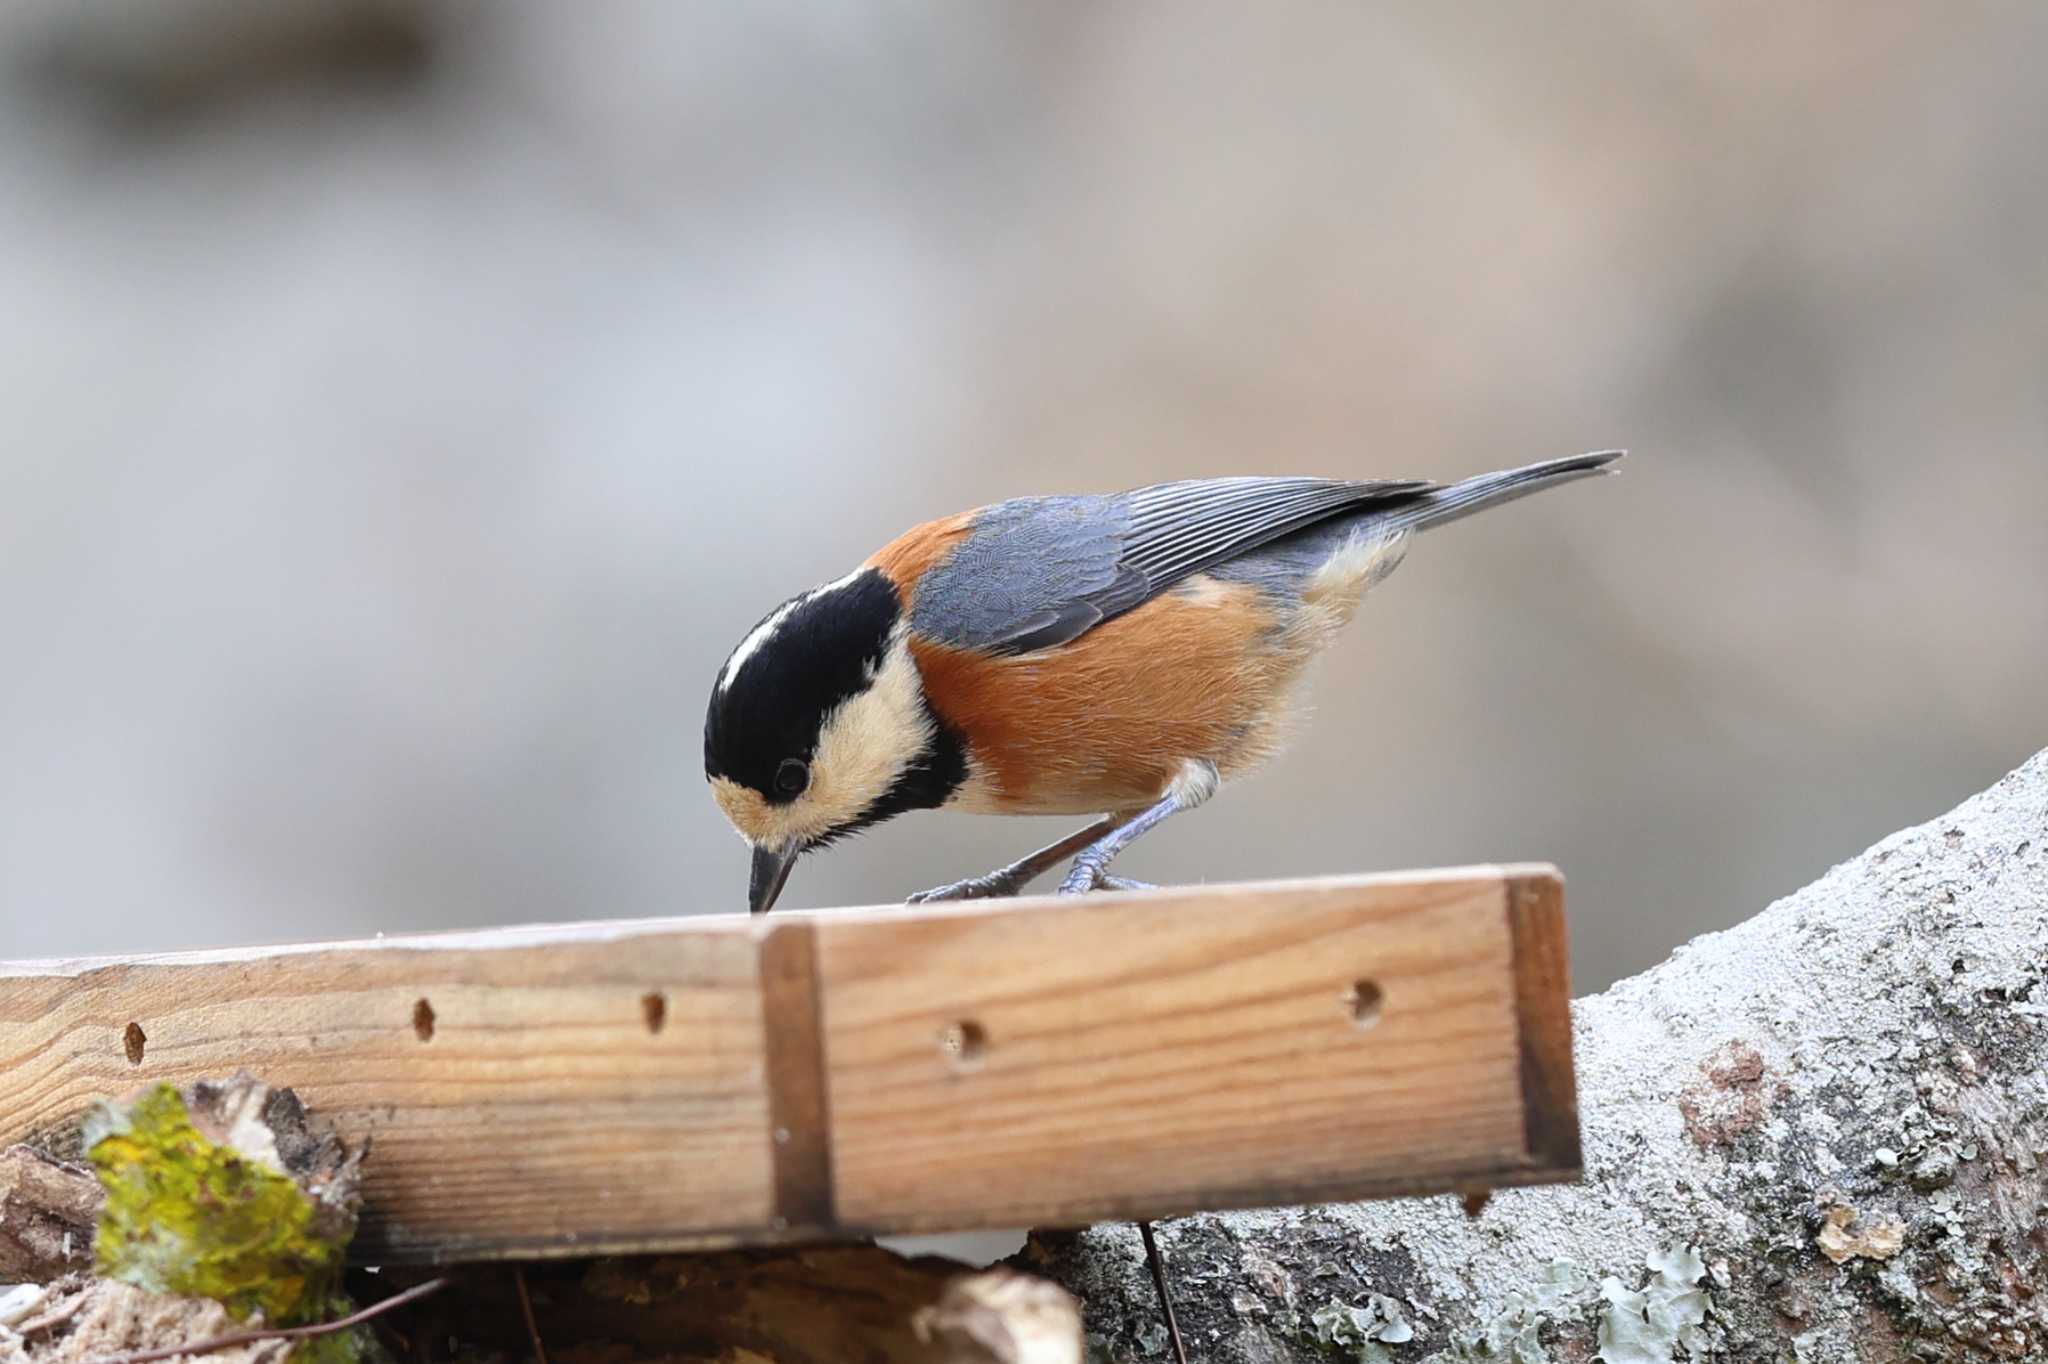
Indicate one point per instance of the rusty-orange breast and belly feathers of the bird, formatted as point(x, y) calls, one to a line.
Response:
point(1105, 724)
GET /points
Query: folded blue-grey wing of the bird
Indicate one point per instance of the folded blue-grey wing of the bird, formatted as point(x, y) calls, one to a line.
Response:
point(1041, 572)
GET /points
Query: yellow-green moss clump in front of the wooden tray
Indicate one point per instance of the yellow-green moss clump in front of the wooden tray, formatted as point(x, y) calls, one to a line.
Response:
point(196, 1218)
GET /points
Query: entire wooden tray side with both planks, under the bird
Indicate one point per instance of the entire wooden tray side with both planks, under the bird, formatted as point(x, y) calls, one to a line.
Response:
point(701, 1082)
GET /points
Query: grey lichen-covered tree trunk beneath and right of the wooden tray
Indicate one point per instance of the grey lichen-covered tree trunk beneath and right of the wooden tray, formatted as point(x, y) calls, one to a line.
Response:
point(1820, 1136)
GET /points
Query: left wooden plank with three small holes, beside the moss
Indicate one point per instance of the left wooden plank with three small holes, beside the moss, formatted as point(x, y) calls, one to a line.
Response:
point(525, 1107)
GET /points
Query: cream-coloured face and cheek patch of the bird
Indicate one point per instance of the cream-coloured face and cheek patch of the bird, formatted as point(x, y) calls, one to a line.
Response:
point(863, 749)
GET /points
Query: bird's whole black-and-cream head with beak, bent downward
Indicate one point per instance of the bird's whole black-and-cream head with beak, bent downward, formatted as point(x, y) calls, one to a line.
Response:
point(818, 728)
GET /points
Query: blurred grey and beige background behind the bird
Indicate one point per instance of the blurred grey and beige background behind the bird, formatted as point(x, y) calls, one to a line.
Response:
point(409, 407)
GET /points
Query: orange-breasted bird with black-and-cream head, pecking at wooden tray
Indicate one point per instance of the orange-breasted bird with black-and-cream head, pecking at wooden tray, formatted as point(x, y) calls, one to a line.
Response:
point(1115, 656)
